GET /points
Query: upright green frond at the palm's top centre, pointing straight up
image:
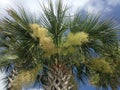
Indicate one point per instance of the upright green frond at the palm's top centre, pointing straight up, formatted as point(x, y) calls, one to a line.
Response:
point(54, 19)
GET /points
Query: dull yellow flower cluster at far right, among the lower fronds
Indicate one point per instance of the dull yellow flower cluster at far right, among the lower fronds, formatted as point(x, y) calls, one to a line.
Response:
point(101, 65)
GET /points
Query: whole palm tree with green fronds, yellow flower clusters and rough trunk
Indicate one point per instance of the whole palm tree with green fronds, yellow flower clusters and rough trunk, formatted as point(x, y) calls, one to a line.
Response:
point(50, 48)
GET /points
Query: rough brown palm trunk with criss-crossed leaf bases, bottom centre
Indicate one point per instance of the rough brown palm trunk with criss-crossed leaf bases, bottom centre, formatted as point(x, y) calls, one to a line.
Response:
point(57, 78)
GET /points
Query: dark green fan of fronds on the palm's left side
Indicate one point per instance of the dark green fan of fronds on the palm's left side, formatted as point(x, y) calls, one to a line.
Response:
point(18, 35)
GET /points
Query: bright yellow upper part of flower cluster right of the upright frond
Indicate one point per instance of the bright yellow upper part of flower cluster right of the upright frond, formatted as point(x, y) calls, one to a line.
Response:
point(76, 39)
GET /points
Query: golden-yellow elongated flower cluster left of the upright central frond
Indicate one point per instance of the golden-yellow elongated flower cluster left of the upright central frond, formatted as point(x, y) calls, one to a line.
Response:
point(45, 41)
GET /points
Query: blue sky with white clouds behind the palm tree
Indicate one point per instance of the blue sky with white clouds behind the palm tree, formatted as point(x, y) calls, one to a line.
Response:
point(106, 8)
